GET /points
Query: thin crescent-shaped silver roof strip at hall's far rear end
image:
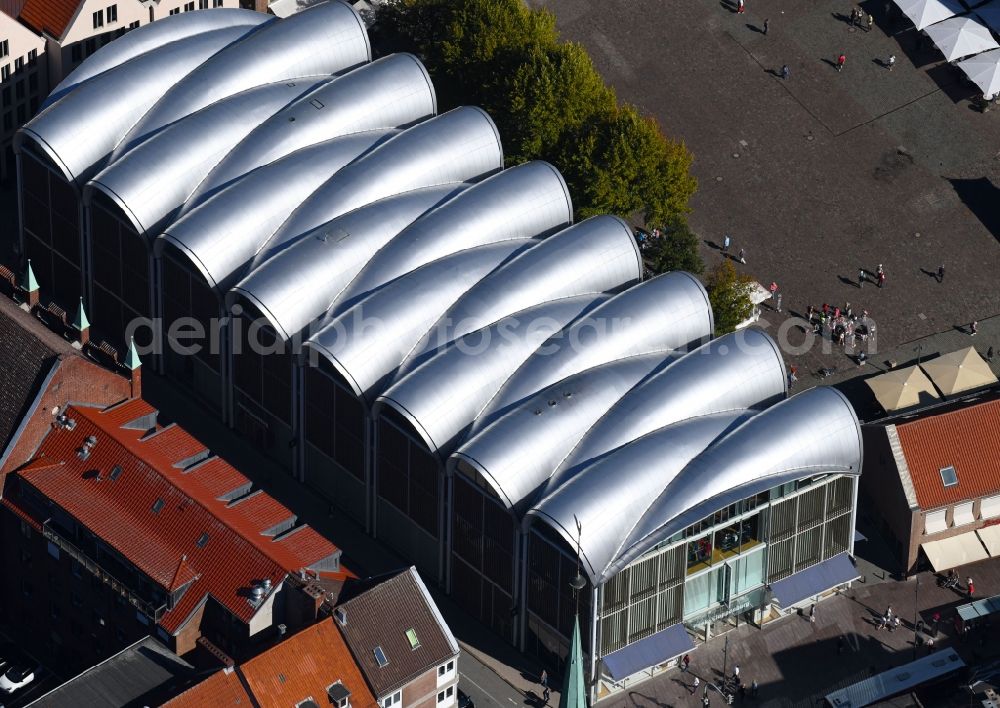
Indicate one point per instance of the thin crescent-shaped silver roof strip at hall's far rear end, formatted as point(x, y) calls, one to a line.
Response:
point(150, 38)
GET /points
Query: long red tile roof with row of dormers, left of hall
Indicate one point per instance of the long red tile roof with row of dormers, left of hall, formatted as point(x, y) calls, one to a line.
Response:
point(164, 544)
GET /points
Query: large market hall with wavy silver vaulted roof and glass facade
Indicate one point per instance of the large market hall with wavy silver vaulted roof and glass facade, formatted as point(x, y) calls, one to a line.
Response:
point(429, 341)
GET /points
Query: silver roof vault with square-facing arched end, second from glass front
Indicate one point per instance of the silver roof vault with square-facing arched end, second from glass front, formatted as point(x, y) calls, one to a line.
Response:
point(734, 372)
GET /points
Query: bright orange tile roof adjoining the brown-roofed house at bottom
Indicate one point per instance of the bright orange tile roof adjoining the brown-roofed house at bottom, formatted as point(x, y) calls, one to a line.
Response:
point(305, 665)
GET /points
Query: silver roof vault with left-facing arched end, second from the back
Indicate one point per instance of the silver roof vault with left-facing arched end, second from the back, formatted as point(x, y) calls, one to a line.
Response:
point(152, 181)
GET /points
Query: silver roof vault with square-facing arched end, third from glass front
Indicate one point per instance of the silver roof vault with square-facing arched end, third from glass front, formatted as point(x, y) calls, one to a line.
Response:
point(669, 312)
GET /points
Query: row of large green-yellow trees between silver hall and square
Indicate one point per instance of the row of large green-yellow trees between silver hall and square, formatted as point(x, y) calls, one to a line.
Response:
point(548, 101)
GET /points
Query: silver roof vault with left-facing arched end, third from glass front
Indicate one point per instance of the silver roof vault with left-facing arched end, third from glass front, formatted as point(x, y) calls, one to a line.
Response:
point(444, 394)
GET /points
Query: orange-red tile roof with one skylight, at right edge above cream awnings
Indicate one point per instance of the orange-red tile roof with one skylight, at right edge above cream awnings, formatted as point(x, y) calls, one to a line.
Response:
point(967, 439)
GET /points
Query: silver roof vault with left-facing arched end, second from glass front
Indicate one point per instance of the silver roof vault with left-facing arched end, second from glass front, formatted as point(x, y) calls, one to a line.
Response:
point(518, 451)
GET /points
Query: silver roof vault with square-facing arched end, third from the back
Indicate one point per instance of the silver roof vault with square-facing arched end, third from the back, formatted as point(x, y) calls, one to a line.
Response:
point(462, 145)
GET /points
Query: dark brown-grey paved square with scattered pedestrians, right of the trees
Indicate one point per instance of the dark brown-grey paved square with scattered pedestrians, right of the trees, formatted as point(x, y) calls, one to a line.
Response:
point(824, 173)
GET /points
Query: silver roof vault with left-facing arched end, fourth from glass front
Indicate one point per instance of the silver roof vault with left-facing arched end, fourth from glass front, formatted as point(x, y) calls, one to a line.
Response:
point(367, 343)
